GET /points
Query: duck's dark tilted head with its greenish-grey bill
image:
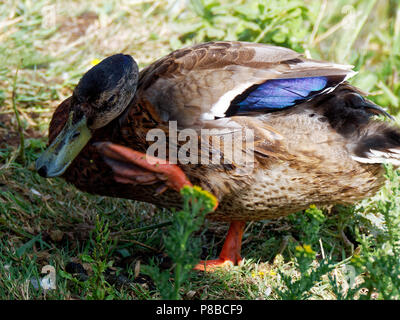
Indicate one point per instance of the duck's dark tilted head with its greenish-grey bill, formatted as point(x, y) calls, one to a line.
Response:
point(101, 95)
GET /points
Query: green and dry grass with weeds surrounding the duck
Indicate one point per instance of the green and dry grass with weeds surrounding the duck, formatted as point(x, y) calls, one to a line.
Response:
point(100, 246)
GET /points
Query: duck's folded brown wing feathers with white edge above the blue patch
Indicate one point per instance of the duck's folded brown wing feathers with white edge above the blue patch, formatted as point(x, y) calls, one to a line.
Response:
point(196, 85)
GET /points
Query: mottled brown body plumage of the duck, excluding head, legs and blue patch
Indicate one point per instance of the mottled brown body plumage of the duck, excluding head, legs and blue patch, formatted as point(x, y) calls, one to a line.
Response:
point(303, 155)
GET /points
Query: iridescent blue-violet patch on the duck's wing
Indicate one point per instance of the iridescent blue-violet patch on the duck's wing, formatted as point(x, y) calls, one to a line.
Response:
point(282, 93)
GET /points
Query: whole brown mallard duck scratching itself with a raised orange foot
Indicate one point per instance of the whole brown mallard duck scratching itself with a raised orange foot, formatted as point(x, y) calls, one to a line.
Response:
point(314, 138)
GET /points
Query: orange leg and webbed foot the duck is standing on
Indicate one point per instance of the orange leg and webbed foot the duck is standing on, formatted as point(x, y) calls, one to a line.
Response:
point(230, 253)
